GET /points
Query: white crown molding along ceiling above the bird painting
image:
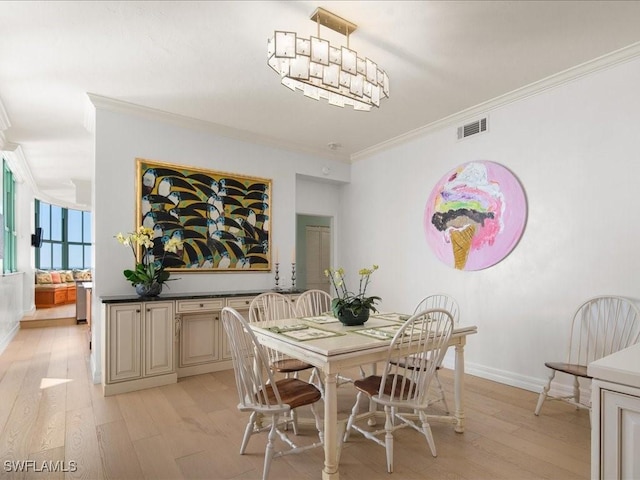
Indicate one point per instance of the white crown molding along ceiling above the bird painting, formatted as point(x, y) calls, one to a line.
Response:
point(119, 106)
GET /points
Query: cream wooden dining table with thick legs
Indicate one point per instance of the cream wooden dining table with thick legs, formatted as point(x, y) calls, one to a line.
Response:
point(337, 353)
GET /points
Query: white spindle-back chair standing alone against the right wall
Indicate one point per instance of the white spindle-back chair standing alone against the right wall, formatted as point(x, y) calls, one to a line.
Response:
point(601, 326)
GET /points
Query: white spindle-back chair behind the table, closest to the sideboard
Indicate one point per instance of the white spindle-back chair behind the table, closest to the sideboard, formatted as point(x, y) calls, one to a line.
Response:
point(275, 306)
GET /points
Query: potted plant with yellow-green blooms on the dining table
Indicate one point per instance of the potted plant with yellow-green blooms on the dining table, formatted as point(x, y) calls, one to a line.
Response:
point(351, 308)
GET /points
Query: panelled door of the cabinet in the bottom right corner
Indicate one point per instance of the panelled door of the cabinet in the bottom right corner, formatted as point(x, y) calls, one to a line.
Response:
point(620, 441)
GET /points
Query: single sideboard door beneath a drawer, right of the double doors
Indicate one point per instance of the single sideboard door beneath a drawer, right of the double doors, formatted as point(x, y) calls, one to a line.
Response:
point(199, 338)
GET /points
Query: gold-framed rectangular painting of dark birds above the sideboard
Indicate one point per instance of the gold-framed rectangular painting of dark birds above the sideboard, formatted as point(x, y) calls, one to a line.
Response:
point(222, 218)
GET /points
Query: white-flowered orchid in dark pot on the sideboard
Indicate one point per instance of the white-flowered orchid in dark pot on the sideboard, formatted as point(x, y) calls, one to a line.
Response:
point(149, 275)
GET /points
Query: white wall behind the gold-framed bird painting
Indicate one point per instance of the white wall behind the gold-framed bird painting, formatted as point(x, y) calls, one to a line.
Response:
point(121, 137)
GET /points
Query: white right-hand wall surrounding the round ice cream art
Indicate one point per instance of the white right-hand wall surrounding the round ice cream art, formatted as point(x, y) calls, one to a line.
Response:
point(575, 150)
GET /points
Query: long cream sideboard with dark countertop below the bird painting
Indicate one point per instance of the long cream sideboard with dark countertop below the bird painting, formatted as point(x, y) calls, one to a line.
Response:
point(155, 342)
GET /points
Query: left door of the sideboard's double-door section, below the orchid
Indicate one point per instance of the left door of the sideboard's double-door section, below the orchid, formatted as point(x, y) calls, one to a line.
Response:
point(124, 328)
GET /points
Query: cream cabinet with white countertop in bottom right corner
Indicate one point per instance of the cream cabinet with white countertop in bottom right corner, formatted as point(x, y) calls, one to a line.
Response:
point(615, 402)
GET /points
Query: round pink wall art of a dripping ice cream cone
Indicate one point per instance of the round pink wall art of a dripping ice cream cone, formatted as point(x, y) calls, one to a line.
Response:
point(475, 215)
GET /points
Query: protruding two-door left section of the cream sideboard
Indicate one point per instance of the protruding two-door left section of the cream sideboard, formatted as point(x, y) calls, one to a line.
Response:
point(139, 346)
